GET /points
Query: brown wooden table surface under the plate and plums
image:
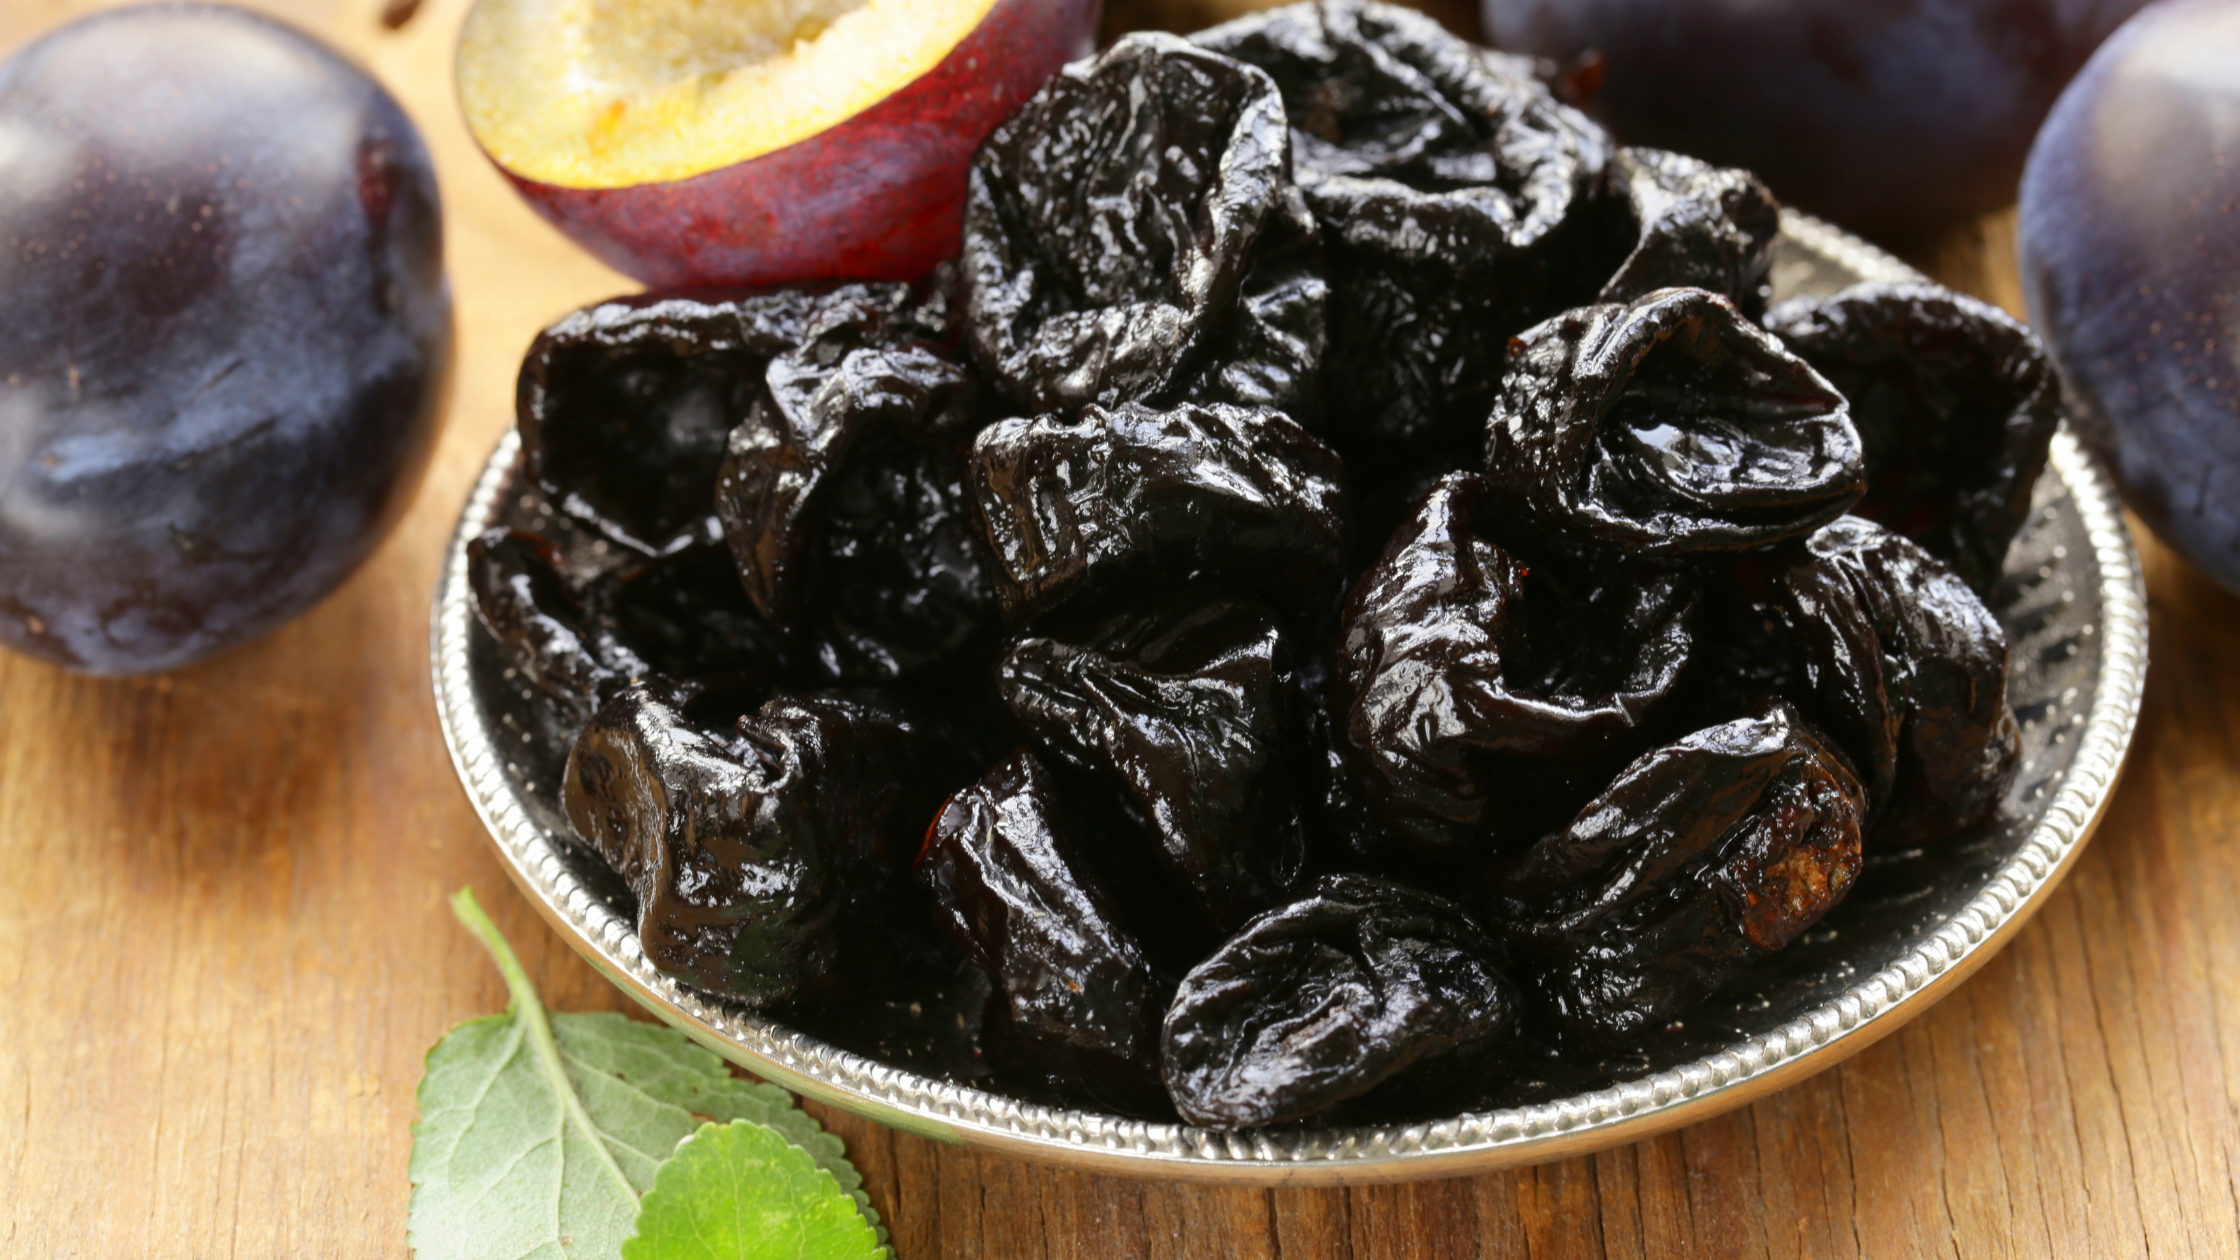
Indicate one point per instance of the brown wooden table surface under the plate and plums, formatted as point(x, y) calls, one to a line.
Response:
point(225, 934)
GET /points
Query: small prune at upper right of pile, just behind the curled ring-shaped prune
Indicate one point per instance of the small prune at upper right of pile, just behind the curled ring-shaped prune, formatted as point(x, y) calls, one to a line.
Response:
point(1692, 225)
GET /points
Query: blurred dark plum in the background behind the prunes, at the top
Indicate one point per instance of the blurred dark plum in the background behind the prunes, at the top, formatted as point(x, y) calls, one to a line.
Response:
point(1889, 115)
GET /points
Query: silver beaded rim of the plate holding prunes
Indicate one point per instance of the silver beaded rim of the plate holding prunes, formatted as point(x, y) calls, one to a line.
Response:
point(1473, 1142)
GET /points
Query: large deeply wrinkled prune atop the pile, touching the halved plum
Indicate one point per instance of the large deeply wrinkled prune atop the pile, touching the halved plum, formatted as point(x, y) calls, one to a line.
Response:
point(1132, 234)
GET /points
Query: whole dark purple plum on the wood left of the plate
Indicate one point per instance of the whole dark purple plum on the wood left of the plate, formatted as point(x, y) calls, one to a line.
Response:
point(227, 333)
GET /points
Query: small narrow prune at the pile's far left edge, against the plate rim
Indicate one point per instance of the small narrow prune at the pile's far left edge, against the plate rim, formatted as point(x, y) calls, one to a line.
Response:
point(543, 624)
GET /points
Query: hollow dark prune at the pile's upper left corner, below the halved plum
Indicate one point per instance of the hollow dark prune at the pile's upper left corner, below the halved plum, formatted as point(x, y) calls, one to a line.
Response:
point(626, 407)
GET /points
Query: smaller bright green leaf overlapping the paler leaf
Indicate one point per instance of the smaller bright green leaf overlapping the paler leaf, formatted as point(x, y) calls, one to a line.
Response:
point(743, 1192)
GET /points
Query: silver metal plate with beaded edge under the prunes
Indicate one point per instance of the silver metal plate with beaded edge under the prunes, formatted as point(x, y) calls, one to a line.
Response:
point(1916, 925)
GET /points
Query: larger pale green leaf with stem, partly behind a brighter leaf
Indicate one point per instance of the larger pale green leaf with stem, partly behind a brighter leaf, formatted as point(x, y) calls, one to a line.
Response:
point(539, 1133)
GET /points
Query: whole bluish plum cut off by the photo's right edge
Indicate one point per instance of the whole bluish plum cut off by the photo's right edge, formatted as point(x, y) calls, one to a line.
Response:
point(2131, 268)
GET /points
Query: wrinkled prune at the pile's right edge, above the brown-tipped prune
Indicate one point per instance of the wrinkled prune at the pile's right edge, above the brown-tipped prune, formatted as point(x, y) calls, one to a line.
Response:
point(1907, 671)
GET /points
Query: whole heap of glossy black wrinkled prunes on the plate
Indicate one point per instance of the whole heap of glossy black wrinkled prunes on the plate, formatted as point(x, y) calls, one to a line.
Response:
point(1341, 591)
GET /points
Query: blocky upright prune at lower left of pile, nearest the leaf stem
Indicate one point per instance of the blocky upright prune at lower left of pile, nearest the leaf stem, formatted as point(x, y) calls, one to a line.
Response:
point(758, 860)
